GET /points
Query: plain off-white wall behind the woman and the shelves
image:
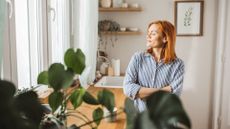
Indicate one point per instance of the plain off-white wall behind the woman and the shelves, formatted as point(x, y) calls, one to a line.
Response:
point(198, 53)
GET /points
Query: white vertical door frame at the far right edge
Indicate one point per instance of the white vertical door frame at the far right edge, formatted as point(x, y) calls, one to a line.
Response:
point(220, 65)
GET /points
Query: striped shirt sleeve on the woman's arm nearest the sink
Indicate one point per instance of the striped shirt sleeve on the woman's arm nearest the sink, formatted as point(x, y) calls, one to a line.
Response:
point(130, 86)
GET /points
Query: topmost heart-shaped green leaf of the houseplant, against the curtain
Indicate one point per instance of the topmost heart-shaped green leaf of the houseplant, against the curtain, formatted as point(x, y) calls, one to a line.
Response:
point(75, 60)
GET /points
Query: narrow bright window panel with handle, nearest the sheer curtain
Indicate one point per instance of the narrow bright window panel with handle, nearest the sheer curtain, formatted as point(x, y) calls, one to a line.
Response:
point(58, 24)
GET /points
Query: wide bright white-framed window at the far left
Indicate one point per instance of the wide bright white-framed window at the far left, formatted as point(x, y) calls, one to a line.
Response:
point(25, 46)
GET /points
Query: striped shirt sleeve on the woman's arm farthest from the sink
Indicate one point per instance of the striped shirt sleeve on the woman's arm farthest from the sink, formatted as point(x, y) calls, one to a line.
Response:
point(177, 82)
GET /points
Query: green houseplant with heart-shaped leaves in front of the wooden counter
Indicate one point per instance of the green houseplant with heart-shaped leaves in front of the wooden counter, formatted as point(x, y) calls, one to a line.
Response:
point(60, 77)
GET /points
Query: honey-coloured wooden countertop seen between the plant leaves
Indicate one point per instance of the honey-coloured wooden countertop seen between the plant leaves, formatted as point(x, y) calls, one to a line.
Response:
point(88, 109)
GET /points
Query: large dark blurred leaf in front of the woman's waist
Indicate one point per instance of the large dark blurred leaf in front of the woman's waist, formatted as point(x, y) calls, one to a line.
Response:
point(166, 110)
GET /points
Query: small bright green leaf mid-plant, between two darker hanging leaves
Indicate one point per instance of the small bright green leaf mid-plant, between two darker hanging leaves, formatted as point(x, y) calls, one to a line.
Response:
point(76, 97)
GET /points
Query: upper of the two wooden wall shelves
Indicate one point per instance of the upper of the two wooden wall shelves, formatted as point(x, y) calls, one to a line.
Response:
point(120, 9)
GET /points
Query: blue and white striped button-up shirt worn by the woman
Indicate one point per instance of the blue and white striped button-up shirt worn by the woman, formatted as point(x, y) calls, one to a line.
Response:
point(144, 71)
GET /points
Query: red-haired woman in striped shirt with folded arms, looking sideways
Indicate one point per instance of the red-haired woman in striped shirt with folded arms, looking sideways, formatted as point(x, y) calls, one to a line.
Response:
point(156, 69)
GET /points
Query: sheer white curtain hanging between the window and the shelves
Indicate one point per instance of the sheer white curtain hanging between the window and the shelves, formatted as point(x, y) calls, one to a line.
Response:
point(85, 14)
